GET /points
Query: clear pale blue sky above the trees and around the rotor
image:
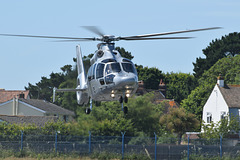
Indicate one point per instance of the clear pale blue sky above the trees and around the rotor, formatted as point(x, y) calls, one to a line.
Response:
point(26, 60)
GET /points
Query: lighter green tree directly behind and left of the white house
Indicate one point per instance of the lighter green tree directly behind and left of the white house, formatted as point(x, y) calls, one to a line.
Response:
point(229, 67)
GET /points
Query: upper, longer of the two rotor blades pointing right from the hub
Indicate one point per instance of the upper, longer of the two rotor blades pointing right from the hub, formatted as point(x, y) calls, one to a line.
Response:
point(175, 32)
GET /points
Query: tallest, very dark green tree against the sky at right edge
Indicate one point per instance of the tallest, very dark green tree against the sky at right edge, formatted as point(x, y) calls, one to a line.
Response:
point(228, 45)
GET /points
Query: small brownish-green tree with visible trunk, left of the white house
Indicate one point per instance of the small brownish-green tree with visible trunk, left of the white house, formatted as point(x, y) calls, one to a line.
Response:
point(178, 121)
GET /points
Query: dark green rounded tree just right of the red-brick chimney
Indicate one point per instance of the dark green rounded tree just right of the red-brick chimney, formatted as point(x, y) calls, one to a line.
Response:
point(179, 85)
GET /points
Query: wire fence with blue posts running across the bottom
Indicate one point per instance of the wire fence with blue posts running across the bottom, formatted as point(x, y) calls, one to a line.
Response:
point(152, 147)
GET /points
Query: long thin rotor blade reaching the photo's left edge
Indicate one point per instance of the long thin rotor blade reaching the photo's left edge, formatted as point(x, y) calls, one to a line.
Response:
point(70, 38)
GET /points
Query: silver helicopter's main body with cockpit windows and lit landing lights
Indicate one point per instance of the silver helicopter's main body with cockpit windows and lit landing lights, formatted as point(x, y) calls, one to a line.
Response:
point(110, 76)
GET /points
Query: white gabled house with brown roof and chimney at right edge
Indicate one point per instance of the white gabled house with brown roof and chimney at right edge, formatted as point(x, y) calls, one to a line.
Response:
point(223, 101)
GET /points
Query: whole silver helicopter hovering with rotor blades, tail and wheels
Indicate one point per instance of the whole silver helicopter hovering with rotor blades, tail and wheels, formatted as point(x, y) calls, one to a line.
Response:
point(110, 76)
